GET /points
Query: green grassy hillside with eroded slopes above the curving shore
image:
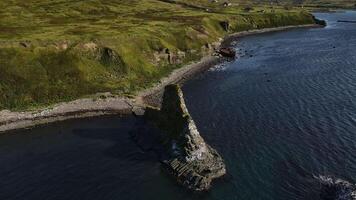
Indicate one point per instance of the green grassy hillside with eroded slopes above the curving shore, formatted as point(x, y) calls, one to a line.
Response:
point(60, 50)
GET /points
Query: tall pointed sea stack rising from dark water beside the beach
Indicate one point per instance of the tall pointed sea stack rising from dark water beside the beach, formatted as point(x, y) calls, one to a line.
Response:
point(193, 162)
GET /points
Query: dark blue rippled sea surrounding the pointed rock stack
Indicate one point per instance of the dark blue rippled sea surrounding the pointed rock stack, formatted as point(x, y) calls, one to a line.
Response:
point(283, 112)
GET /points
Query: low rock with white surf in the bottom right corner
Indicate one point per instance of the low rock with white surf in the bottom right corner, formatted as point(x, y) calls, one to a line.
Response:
point(336, 189)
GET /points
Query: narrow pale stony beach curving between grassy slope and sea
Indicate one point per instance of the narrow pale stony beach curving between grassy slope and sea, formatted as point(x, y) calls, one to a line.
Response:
point(114, 105)
